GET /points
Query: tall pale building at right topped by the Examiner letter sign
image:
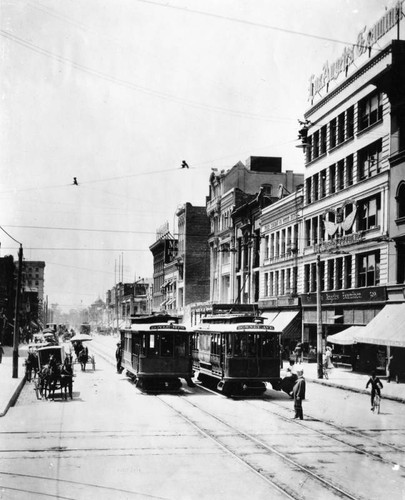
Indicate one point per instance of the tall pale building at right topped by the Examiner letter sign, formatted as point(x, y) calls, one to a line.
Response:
point(353, 235)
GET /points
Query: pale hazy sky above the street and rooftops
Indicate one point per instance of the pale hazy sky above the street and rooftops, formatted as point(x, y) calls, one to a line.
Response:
point(117, 93)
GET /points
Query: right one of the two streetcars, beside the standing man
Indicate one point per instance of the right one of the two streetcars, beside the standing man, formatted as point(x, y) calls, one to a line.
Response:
point(237, 352)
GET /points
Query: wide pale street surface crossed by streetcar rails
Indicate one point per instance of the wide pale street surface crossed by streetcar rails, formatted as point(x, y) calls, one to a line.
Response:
point(113, 441)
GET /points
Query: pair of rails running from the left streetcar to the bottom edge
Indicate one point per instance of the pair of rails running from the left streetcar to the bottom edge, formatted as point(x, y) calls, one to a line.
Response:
point(283, 489)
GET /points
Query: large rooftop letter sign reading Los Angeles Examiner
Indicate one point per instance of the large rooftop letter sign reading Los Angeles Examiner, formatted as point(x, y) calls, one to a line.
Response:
point(365, 41)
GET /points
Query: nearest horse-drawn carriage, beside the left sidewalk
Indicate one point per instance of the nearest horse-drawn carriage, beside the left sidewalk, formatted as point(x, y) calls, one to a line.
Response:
point(55, 372)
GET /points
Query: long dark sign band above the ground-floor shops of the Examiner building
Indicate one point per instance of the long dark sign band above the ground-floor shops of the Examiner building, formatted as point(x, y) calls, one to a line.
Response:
point(371, 294)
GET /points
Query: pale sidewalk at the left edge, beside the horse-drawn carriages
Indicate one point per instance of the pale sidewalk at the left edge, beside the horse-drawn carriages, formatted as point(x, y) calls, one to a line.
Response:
point(10, 387)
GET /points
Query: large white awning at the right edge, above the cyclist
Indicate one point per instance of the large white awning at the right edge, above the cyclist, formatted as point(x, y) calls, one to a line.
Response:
point(387, 328)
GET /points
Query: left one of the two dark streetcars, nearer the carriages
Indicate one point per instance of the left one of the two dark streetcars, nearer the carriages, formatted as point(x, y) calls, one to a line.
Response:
point(157, 353)
